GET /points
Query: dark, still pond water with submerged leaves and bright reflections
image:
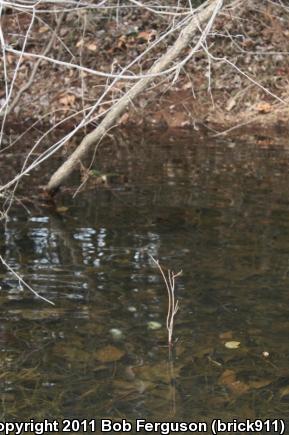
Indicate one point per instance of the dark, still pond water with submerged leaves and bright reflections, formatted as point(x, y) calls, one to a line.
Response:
point(218, 211)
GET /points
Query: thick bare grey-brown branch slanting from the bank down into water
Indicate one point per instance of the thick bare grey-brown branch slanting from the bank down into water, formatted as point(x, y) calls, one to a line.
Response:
point(208, 13)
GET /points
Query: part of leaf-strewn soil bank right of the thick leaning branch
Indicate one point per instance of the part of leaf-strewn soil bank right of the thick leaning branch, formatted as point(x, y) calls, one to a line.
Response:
point(242, 82)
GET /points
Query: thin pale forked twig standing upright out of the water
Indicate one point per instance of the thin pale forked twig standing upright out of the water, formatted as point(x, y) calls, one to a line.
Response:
point(173, 304)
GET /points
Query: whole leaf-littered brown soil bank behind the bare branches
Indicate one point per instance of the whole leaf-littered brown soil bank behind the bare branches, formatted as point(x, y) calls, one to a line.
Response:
point(238, 78)
